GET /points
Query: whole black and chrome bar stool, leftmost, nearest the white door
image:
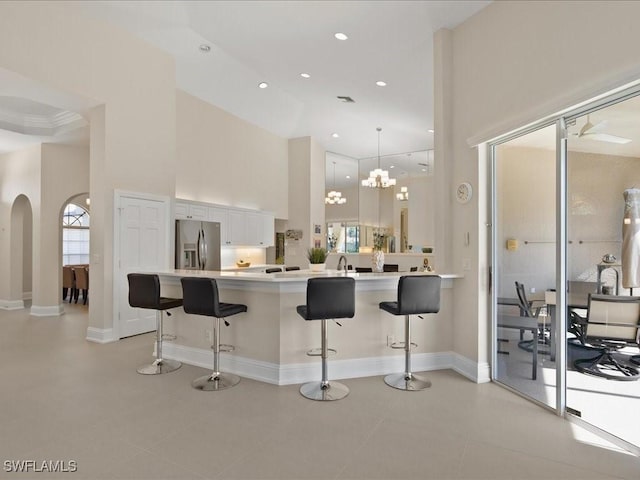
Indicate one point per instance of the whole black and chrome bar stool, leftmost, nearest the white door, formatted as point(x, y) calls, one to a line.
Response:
point(144, 292)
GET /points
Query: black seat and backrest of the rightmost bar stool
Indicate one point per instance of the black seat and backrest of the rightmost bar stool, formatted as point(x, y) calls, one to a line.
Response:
point(416, 294)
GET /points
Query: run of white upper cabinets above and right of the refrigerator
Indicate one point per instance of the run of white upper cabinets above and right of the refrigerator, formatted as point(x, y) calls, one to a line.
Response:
point(238, 227)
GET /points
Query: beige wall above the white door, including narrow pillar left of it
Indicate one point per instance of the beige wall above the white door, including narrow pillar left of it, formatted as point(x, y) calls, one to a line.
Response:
point(134, 147)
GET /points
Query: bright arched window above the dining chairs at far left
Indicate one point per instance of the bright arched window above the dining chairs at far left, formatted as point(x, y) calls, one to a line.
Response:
point(75, 235)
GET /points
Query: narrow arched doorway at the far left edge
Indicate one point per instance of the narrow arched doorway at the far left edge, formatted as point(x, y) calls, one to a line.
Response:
point(21, 259)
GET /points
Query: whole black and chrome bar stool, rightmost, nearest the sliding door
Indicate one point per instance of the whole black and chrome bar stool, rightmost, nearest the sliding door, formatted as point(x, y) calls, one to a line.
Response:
point(417, 294)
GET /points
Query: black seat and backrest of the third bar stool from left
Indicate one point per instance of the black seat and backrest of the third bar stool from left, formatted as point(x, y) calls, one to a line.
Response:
point(330, 297)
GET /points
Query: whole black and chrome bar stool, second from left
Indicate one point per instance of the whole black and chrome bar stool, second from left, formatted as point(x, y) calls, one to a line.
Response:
point(200, 297)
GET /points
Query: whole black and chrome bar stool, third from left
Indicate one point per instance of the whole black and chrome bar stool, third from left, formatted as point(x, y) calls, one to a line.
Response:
point(327, 298)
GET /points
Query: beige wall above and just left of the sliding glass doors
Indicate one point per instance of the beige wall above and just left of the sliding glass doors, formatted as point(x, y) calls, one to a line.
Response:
point(510, 64)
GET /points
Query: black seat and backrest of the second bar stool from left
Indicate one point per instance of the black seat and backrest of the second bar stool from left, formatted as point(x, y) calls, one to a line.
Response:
point(200, 297)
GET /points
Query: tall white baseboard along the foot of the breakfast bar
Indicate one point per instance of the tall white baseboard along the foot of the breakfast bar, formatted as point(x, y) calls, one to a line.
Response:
point(289, 374)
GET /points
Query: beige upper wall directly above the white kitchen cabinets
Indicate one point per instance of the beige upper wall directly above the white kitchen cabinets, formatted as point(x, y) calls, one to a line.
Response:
point(225, 160)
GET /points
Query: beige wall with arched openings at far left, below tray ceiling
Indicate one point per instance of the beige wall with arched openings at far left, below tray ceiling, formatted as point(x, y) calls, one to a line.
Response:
point(48, 175)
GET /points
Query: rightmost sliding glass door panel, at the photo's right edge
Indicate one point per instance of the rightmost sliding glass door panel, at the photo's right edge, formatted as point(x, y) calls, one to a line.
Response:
point(603, 382)
